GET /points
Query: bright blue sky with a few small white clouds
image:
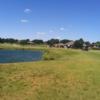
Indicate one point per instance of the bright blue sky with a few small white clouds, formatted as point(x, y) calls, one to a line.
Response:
point(46, 19)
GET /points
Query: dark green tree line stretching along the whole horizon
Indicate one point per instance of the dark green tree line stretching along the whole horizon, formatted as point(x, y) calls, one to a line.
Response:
point(77, 43)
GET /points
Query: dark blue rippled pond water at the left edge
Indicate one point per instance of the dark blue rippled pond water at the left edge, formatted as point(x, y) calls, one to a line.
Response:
point(11, 56)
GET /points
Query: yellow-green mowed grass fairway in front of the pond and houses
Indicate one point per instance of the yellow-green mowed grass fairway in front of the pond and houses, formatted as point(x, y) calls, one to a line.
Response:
point(64, 75)
